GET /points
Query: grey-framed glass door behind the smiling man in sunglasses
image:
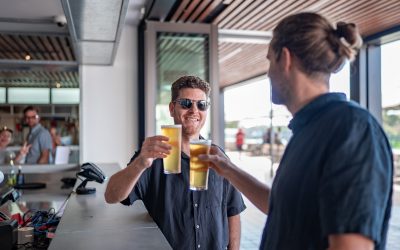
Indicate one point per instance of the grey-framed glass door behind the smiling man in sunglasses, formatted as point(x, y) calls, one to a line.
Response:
point(172, 51)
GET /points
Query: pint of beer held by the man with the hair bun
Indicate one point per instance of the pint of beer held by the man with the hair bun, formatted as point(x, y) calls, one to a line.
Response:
point(198, 170)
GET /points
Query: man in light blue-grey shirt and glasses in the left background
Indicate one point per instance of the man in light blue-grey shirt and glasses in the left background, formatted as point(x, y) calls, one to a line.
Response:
point(39, 138)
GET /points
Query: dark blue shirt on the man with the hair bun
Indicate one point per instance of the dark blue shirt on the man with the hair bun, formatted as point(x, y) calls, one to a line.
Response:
point(335, 177)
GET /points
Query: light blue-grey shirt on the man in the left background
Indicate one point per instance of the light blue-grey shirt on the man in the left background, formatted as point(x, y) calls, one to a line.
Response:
point(40, 139)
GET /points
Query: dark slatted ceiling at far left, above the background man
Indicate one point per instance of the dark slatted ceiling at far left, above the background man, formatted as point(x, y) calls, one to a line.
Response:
point(49, 48)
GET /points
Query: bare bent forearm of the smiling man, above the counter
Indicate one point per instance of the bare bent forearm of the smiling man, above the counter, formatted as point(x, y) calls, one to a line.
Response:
point(121, 183)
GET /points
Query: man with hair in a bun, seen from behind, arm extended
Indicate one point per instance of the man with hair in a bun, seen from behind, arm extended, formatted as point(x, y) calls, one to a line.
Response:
point(333, 189)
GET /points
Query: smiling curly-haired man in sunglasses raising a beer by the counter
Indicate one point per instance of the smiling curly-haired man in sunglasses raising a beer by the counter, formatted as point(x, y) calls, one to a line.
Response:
point(188, 219)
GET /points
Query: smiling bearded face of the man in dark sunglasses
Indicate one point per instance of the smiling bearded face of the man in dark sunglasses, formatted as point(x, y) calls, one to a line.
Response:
point(192, 119)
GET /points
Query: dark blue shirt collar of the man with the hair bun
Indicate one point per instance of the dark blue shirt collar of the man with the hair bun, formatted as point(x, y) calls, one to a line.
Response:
point(307, 113)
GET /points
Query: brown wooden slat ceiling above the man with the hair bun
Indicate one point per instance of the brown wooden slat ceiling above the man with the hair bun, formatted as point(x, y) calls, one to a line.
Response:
point(243, 61)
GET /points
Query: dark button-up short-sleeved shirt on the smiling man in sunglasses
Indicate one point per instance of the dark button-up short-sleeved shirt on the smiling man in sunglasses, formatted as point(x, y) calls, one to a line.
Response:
point(188, 219)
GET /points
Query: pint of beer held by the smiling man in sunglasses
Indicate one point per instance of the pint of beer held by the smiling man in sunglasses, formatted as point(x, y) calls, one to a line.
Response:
point(172, 163)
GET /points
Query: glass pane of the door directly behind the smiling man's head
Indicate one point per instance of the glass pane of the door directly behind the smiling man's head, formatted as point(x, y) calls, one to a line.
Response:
point(179, 54)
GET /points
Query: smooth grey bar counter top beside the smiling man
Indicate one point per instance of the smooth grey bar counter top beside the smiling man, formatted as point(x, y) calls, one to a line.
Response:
point(88, 222)
